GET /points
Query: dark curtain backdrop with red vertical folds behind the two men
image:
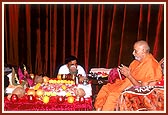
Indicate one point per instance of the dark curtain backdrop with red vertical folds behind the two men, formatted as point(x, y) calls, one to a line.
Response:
point(41, 36)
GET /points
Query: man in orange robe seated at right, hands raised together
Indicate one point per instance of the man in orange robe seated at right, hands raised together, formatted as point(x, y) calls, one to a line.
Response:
point(144, 69)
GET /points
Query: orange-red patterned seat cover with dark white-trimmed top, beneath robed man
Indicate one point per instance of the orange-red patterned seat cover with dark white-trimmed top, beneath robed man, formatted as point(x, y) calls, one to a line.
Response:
point(145, 98)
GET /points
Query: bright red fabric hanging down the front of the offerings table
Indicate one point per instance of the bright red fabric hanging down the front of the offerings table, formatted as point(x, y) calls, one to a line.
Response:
point(53, 105)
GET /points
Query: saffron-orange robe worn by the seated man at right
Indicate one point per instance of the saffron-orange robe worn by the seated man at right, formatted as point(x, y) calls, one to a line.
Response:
point(146, 71)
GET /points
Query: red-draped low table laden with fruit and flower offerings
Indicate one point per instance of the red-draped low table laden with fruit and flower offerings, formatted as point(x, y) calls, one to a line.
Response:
point(53, 95)
